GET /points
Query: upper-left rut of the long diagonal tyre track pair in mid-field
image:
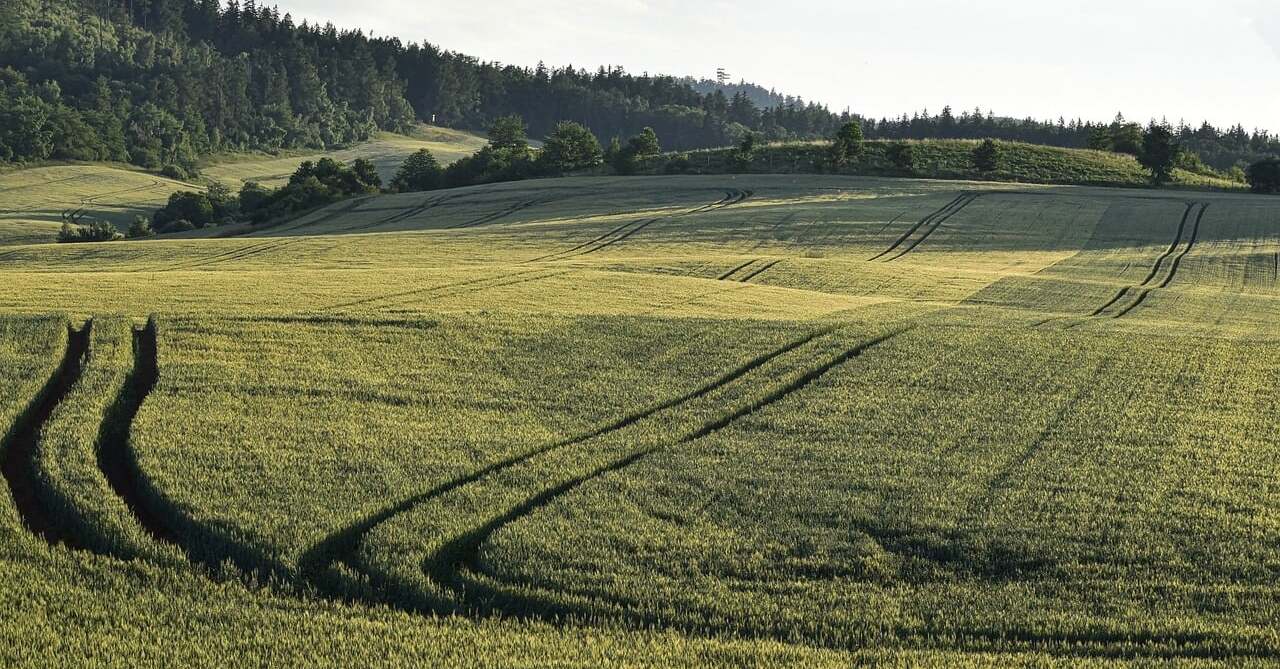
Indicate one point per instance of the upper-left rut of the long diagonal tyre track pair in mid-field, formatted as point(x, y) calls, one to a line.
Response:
point(342, 546)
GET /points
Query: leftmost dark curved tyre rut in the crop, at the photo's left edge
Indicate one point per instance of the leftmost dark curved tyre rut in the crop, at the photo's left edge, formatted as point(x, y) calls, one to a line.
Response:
point(21, 445)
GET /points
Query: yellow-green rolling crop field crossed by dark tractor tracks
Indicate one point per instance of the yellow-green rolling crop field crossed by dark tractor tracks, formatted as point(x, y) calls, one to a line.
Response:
point(655, 421)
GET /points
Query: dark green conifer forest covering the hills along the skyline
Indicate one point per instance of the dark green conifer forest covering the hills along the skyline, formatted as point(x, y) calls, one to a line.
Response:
point(163, 83)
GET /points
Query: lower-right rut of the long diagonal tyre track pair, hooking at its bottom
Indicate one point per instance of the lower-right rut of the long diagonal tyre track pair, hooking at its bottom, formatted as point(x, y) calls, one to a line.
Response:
point(456, 565)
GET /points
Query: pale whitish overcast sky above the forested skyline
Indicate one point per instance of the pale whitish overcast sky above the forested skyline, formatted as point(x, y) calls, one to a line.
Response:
point(1187, 59)
